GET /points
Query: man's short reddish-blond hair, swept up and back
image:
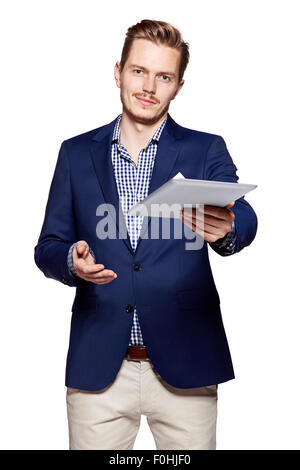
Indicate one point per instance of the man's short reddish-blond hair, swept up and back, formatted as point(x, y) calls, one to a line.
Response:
point(158, 32)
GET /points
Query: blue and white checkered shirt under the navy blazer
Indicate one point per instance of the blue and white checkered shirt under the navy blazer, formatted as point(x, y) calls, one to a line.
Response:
point(133, 185)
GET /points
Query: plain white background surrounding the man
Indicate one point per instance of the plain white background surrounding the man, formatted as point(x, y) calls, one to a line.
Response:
point(242, 82)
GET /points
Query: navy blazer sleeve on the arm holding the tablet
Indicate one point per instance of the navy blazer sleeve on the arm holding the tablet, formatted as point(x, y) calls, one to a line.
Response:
point(220, 167)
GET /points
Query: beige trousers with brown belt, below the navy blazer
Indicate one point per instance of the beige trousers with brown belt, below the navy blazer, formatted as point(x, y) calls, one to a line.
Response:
point(110, 418)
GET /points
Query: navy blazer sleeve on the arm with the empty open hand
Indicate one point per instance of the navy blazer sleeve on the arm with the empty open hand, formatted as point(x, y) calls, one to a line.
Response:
point(58, 231)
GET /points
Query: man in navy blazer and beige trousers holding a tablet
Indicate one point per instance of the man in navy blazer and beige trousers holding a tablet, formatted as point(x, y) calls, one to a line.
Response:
point(146, 332)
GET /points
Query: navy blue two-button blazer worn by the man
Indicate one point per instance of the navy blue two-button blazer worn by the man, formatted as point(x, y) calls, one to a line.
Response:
point(177, 301)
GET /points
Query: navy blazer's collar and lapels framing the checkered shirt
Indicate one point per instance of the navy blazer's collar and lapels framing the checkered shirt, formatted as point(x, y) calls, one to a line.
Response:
point(167, 152)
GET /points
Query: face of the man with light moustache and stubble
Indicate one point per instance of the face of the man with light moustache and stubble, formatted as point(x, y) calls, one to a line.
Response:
point(150, 72)
